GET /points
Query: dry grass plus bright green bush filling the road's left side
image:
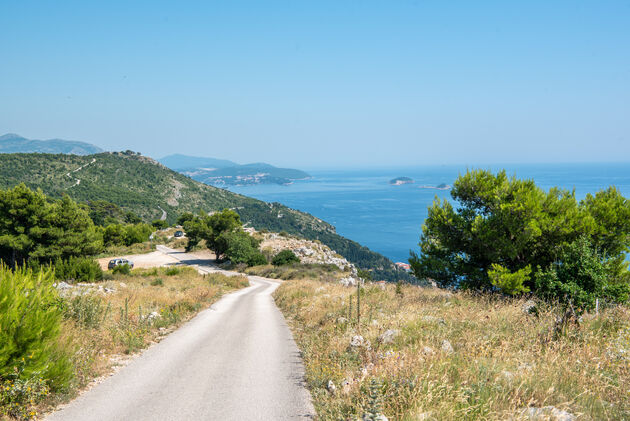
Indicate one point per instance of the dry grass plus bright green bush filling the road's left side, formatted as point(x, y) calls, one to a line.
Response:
point(54, 341)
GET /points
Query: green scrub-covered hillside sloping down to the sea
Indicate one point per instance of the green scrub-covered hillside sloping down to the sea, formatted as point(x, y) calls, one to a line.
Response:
point(146, 187)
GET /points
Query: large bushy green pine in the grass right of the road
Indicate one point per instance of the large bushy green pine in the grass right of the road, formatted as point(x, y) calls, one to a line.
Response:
point(502, 226)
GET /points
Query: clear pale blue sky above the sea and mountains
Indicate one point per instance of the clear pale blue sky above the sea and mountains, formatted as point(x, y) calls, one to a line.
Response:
point(323, 83)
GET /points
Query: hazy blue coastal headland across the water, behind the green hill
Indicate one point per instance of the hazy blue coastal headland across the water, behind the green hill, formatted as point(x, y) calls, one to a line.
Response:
point(220, 172)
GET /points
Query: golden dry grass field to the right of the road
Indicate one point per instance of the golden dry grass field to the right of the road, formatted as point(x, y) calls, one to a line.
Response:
point(503, 359)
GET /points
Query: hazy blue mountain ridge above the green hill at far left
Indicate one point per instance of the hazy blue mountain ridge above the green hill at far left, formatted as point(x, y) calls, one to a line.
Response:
point(13, 143)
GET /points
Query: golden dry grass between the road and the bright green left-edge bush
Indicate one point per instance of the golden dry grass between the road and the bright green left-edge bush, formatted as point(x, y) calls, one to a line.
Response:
point(144, 307)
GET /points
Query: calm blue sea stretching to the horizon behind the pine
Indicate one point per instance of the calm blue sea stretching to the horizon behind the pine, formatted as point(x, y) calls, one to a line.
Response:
point(364, 207)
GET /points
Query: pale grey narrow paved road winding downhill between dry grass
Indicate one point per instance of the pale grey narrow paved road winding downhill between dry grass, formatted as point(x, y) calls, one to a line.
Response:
point(234, 361)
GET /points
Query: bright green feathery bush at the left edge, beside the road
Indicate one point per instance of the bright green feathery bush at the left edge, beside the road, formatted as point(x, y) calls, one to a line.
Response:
point(30, 324)
